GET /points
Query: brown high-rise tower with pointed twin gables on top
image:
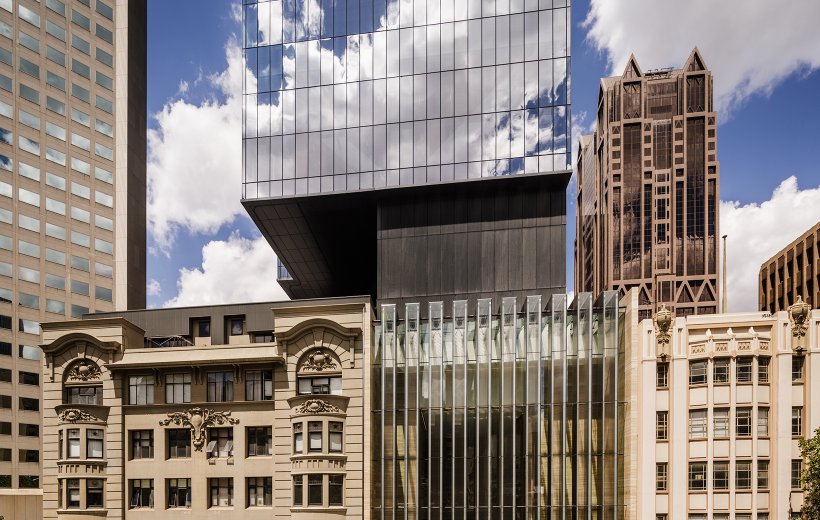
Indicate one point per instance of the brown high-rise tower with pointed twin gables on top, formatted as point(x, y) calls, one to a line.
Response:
point(648, 189)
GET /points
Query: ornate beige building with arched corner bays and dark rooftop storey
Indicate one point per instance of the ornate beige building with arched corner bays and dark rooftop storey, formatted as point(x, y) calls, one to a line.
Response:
point(236, 411)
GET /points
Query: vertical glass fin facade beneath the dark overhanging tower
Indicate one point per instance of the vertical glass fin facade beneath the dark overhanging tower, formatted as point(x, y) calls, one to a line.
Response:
point(509, 413)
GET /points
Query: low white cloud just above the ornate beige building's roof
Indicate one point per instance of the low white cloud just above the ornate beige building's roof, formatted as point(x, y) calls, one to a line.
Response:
point(236, 270)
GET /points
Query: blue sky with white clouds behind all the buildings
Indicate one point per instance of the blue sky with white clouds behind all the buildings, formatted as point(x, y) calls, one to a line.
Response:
point(203, 249)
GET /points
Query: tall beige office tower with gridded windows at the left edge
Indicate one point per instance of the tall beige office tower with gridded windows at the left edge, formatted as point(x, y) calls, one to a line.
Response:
point(72, 192)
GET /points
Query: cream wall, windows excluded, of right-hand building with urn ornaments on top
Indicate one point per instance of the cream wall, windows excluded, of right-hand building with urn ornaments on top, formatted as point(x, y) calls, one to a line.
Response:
point(722, 337)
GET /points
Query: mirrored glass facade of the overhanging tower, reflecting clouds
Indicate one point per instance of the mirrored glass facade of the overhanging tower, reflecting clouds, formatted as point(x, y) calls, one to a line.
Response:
point(347, 95)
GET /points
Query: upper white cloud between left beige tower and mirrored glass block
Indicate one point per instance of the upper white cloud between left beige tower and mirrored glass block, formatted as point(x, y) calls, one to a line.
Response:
point(195, 159)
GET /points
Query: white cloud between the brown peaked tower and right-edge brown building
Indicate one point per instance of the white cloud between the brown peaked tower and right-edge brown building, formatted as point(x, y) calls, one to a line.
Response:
point(758, 231)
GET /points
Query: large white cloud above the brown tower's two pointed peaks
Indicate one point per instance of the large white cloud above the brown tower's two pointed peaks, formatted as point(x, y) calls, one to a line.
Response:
point(750, 46)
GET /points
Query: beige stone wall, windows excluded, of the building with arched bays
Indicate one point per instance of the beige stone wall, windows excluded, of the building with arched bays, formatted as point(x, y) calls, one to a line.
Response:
point(340, 333)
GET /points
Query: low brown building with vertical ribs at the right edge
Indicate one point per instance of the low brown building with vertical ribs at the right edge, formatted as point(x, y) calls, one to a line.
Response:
point(792, 273)
